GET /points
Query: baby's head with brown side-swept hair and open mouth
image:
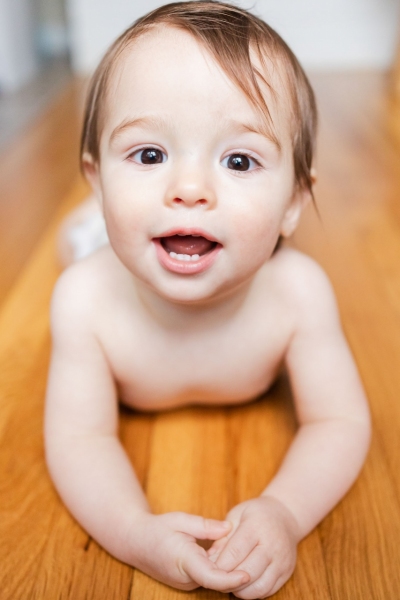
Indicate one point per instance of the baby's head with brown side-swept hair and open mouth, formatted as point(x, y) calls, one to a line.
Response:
point(198, 141)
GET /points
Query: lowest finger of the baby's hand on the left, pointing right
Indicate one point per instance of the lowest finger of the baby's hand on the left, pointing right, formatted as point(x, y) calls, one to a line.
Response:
point(201, 570)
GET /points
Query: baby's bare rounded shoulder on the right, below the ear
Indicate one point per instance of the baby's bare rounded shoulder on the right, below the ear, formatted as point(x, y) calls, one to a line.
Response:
point(306, 288)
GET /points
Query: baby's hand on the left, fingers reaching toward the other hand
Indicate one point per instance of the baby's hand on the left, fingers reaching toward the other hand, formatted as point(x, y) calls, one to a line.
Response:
point(164, 546)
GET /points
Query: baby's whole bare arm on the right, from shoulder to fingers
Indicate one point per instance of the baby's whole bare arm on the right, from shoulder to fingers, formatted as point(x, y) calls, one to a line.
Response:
point(324, 458)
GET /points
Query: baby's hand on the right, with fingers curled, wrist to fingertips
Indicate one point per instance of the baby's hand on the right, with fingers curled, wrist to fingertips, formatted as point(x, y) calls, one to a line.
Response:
point(262, 542)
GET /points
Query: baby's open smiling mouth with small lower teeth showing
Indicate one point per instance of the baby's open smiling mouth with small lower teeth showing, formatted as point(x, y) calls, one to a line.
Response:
point(186, 253)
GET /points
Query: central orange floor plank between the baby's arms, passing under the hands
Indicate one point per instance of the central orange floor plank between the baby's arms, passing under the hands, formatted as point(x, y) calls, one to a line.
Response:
point(186, 473)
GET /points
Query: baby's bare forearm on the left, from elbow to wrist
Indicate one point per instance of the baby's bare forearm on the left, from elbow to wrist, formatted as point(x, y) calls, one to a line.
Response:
point(97, 483)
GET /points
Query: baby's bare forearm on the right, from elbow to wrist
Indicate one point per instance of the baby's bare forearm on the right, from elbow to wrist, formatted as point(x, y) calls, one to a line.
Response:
point(319, 468)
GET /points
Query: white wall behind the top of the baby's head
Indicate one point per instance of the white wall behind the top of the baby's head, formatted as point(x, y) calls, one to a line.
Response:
point(332, 34)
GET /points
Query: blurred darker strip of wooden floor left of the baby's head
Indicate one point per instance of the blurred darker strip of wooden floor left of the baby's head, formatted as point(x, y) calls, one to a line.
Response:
point(36, 172)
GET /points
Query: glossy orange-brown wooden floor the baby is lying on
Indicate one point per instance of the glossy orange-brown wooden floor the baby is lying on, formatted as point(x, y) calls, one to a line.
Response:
point(206, 460)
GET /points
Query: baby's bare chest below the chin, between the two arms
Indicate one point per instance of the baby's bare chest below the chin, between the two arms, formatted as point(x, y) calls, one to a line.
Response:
point(209, 362)
